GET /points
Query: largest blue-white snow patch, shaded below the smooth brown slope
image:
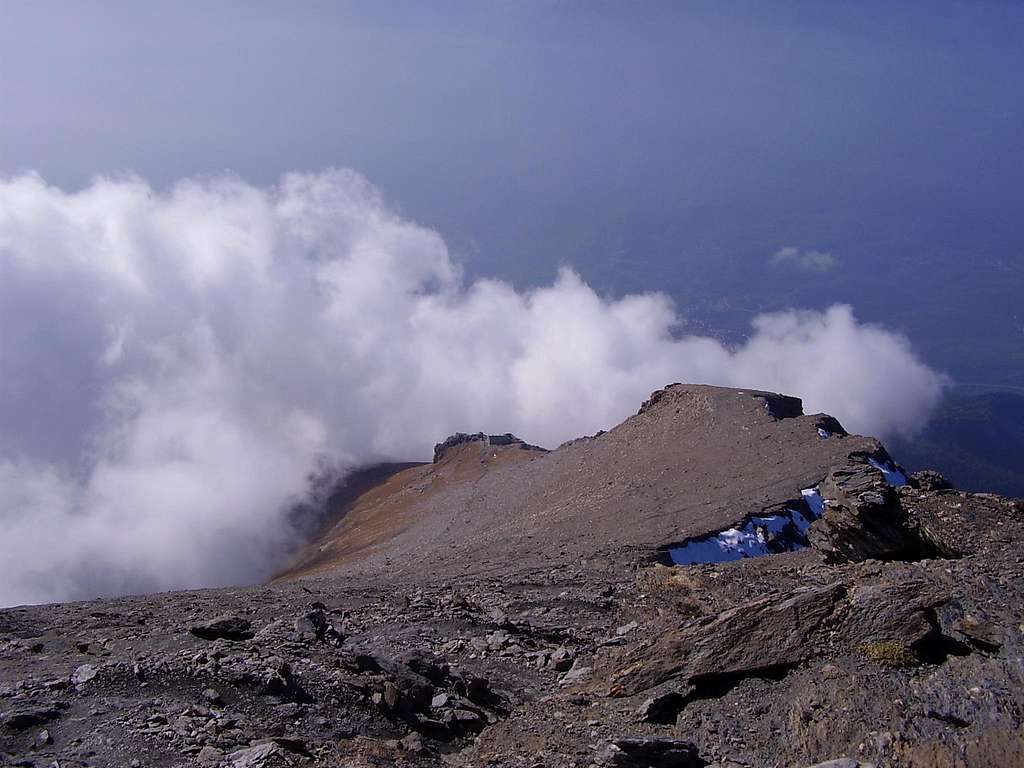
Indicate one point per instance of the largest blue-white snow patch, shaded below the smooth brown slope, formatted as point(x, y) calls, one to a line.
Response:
point(760, 536)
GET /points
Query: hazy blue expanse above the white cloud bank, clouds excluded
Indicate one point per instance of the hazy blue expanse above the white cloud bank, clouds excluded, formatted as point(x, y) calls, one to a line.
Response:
point(674, 146)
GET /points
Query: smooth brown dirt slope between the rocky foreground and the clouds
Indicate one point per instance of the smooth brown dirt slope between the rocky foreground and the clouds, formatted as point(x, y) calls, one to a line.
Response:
point(697, 459)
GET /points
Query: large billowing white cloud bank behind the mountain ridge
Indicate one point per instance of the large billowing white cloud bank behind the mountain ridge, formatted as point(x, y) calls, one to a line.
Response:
point(177, 366)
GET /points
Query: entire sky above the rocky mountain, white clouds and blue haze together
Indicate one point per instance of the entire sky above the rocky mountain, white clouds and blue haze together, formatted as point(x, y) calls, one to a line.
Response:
point(245, 245)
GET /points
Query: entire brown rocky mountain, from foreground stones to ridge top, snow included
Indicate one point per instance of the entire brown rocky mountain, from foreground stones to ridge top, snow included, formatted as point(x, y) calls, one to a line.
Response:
point(718, 581)
